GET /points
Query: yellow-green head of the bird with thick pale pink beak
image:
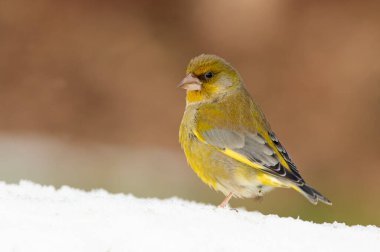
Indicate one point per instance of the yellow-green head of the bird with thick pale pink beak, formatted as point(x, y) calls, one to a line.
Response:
point(208, 77)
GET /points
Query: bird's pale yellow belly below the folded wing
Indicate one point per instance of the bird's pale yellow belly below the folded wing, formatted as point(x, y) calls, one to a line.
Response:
point(223, 173)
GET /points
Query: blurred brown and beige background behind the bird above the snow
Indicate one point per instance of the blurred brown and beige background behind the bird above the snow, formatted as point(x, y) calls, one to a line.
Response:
point(88, 94)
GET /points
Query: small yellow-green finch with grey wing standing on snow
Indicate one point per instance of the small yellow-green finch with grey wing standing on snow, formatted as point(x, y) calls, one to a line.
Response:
point(228, 141)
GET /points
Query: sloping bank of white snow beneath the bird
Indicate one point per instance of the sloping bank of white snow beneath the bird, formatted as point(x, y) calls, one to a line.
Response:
point(42, 218)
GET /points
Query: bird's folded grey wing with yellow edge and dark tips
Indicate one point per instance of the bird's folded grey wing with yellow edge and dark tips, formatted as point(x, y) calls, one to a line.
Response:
point(260, 151)
